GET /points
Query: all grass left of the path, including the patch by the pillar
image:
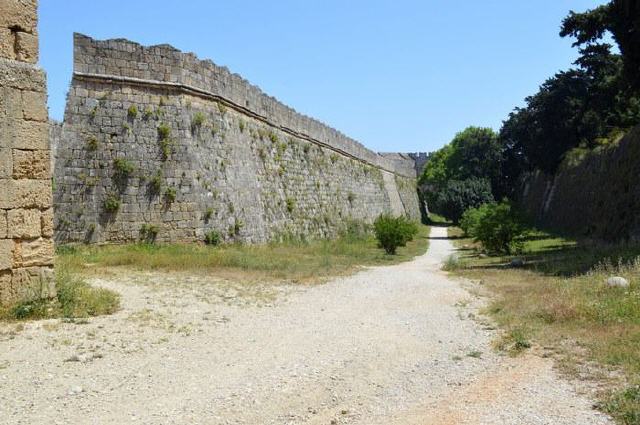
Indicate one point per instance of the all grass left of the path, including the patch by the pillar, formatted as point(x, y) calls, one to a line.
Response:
point(292, 261)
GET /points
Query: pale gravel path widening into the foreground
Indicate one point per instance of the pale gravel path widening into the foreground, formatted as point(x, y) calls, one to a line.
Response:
point(390, 345)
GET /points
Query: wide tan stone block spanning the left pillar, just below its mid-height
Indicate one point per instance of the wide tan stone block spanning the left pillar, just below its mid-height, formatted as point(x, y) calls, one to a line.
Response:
point(25, 194)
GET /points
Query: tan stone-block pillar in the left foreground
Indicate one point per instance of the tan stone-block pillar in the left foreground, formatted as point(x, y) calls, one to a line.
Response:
point(26, 217)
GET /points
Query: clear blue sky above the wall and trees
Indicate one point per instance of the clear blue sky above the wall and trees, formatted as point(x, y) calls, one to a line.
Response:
point(397, 75)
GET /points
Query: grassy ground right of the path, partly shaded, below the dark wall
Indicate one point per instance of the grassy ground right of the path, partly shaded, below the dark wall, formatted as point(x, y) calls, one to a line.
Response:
point(558, 300)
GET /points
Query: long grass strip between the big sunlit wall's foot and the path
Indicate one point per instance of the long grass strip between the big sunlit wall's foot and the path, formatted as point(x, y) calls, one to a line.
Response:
point(291, 260)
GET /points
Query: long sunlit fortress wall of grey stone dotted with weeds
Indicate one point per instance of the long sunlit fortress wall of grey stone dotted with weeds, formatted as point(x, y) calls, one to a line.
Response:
point(157, 143)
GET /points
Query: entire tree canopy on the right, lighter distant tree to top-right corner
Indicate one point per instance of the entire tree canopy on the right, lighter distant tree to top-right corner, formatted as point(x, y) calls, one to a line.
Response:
point(591, 104)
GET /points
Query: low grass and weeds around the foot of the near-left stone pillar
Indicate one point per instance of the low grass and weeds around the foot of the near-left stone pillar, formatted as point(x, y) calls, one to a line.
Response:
point(75, 298)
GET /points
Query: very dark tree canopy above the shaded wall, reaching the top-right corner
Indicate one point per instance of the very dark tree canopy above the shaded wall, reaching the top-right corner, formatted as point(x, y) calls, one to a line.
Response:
point(586, 106)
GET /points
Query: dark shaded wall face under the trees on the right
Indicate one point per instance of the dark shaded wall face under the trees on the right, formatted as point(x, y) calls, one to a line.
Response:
point(599, 198)
